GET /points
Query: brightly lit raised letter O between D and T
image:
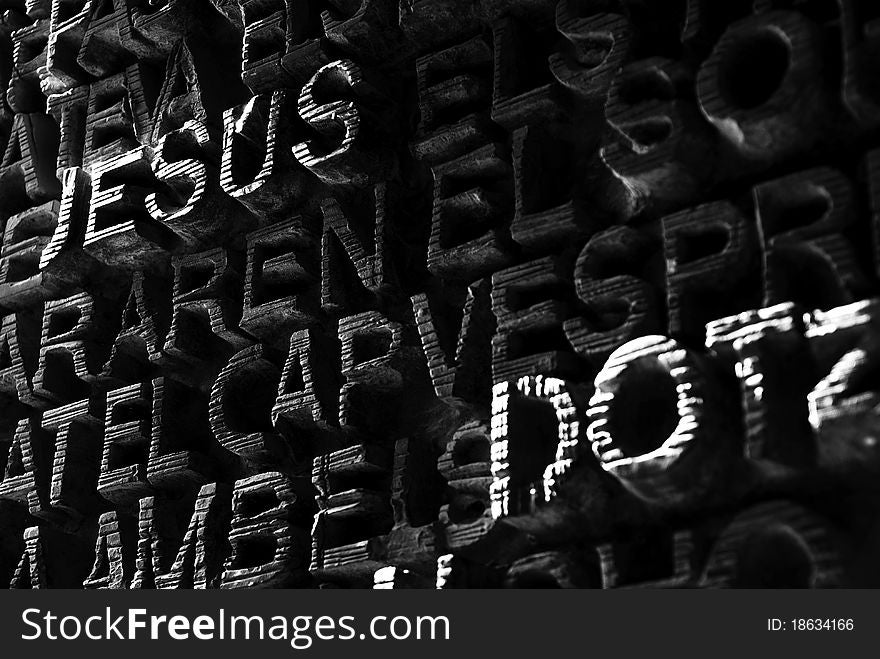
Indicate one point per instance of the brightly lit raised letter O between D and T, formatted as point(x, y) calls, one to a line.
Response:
point(662, 422)
